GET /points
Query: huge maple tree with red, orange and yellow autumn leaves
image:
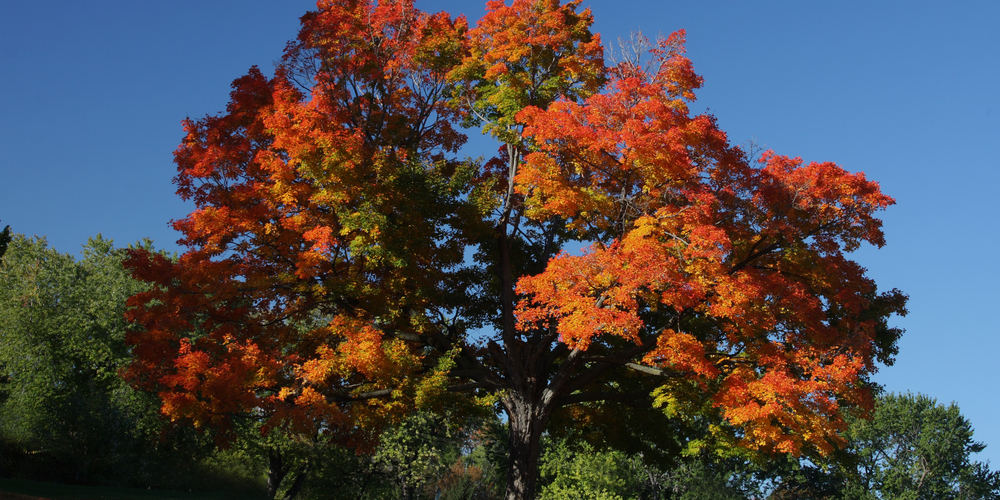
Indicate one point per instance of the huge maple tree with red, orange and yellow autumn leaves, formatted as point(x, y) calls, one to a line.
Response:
point(344, 266)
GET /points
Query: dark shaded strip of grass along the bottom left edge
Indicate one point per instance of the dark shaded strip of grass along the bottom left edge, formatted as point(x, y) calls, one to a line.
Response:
point(19, 489)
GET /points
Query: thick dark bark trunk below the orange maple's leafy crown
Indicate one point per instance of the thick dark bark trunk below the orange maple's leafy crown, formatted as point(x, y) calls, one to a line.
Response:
point(526, 421)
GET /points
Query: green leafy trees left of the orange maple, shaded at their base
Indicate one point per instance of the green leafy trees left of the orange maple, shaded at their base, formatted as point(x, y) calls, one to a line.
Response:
point(65, 414)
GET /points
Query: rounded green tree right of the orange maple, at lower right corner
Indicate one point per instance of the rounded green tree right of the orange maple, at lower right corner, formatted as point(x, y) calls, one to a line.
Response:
point(911, 447)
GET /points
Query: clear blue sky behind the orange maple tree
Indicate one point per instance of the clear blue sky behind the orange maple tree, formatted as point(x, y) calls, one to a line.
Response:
point(92, 95)
